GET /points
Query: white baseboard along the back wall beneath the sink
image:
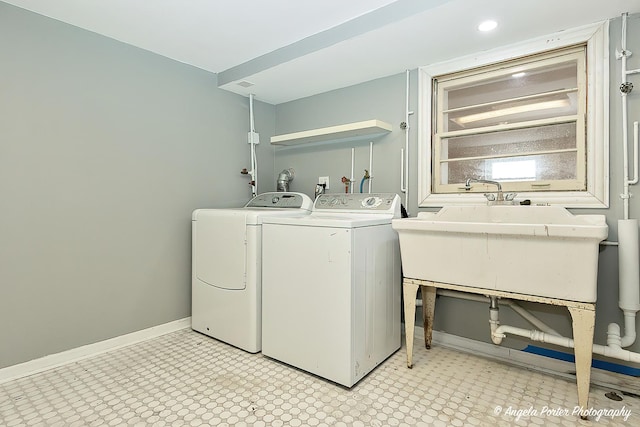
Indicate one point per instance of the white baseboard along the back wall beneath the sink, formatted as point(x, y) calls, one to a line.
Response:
point(535, 362)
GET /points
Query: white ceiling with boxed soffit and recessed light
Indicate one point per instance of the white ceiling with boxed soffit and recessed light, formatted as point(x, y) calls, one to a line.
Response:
point(290, 49)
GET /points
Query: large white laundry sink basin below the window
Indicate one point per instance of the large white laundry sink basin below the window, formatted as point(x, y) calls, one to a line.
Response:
point(533, 250)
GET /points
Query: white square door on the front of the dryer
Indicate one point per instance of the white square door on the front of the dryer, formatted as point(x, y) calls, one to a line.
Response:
point(220, 248)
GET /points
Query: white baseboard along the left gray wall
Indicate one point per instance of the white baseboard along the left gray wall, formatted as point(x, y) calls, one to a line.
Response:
point(54, 360)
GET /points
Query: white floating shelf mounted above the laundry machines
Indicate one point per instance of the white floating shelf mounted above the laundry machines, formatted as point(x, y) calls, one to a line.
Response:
point(340, 133)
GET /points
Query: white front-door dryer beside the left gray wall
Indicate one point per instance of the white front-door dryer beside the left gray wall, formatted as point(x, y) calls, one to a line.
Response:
point(226, 281)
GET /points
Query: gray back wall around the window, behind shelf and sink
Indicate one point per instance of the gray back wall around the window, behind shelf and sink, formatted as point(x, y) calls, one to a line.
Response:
point(384, 99)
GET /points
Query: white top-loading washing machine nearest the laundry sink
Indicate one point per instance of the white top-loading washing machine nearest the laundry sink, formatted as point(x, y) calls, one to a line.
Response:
point(331, 285)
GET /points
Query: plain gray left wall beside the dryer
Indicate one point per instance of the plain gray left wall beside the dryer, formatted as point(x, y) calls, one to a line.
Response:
point(105, 150)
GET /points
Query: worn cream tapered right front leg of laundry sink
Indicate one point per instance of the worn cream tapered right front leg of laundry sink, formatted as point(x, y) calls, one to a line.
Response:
point(584, 320)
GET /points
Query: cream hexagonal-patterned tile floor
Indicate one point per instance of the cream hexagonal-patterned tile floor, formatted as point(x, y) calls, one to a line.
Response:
point(187, 379)
